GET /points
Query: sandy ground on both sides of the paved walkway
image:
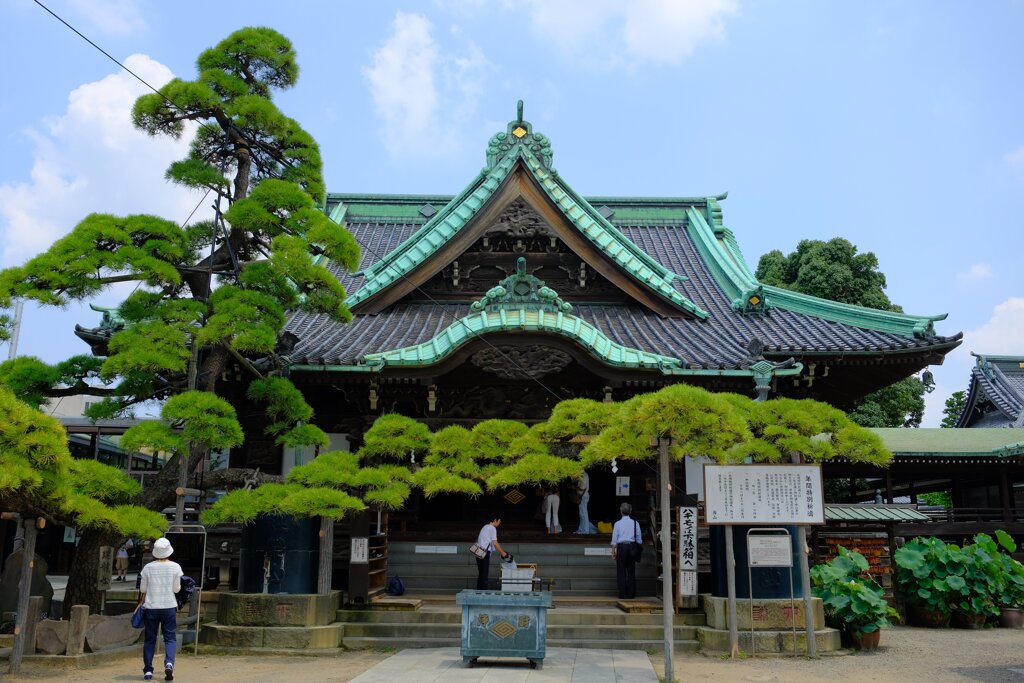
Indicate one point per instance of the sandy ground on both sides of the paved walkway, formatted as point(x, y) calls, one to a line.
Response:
point(907, 655)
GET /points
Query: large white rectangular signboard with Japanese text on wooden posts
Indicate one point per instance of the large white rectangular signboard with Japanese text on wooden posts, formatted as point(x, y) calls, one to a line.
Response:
point(764, 495)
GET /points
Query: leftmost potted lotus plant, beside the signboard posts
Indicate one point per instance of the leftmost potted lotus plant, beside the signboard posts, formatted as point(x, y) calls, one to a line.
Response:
point(854, 604)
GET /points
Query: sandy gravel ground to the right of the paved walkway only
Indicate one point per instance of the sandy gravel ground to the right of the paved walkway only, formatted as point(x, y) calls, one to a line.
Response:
point(907, 655)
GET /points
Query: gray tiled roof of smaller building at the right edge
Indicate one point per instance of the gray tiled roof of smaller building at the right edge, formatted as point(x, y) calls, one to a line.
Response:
point(996, 398)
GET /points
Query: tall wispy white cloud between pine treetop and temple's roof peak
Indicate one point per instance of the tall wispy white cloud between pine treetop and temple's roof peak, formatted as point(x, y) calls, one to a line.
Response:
point(413, 82)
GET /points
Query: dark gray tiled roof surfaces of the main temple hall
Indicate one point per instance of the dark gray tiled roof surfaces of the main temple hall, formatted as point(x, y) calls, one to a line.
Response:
point(718, 343)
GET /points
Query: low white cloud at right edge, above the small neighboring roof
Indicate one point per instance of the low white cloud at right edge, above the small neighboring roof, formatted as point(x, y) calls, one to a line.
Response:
point(1003, 334)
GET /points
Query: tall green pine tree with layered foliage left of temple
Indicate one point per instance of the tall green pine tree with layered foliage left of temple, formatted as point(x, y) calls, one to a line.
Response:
point(215, 293)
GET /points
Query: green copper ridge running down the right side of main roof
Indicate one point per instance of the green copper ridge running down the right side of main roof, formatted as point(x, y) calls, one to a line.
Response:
point(730, 270)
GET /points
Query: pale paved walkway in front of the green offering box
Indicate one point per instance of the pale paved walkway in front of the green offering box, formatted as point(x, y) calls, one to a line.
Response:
point(562, 664)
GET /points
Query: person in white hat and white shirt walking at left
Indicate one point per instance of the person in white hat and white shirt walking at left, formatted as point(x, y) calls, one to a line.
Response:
point(160, 581)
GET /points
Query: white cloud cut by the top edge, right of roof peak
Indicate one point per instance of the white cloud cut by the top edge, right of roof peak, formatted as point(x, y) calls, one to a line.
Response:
point(607, 32)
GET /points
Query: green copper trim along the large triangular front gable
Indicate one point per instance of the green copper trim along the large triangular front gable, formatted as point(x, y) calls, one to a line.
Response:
point(520, 147)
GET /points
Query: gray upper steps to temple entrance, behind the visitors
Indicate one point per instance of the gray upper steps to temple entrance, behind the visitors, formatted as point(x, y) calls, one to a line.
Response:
point(578, 569)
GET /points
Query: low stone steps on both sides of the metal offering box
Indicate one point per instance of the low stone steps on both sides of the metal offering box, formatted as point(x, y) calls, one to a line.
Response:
point(441, 626)
